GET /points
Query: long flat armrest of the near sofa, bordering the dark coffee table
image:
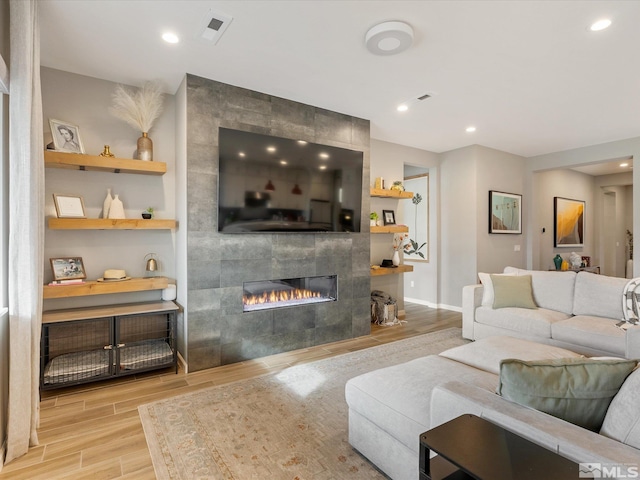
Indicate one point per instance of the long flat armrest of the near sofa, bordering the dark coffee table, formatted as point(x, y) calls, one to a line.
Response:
point(453, 399)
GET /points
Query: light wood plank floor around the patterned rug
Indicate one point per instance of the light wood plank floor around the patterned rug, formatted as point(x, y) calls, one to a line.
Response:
point(94, 432)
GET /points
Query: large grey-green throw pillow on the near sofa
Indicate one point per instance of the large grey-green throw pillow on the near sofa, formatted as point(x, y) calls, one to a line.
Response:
point(577, 390)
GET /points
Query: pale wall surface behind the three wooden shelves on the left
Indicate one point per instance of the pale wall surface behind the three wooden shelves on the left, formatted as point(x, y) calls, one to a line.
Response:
point(84, 101)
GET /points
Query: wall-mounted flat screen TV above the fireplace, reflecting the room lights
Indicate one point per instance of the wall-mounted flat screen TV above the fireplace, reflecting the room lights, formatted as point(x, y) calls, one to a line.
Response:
point(274, 184)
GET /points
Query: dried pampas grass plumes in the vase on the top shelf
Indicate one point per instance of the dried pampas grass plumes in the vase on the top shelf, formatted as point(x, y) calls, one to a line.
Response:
point(139, 109)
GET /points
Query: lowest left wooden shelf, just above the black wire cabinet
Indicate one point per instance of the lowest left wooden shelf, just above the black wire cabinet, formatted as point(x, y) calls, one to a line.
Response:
point(102, 288)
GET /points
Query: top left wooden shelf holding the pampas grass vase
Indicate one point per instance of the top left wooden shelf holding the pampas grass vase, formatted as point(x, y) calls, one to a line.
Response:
point(80, 161)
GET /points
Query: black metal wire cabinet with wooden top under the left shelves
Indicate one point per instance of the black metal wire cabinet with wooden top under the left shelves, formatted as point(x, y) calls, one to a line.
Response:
point(89, 344)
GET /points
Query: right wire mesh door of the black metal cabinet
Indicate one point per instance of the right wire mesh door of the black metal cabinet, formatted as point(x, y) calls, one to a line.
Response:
point(145, 342)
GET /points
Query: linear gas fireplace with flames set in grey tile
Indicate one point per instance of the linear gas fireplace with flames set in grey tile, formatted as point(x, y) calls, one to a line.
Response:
point(262, 295)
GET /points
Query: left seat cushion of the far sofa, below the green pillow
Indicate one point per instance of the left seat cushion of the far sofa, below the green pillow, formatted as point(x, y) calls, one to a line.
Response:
point(531, 322)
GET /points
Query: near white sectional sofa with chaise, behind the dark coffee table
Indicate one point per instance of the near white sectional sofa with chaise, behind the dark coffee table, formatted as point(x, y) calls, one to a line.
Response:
point(389, 408)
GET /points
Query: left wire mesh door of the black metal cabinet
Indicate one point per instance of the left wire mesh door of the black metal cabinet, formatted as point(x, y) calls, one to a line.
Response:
point(75, 352)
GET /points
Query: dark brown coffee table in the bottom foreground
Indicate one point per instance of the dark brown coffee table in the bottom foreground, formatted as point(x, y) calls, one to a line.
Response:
point(472, 447)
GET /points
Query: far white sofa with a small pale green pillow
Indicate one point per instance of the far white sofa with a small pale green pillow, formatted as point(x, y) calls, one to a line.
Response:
point(577, 311)
